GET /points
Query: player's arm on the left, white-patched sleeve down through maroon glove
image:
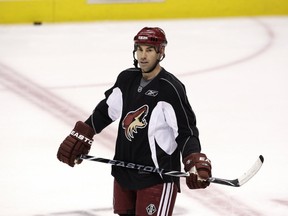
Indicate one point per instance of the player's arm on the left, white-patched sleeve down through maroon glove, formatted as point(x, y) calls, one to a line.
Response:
point(79, 141)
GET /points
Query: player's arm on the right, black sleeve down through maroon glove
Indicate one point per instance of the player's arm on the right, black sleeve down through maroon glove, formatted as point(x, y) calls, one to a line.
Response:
point(196, 163)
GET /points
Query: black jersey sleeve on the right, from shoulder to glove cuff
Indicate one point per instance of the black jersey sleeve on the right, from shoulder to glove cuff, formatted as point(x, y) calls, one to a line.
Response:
point(186, 131)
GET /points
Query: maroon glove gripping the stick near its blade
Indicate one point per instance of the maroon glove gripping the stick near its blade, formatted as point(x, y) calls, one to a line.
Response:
point(199, 167)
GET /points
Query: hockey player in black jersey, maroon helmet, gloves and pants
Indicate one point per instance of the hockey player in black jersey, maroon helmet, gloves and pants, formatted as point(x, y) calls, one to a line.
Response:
point(157, 128)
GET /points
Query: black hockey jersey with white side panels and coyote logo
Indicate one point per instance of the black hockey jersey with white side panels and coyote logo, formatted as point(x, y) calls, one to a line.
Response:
point(156, 126)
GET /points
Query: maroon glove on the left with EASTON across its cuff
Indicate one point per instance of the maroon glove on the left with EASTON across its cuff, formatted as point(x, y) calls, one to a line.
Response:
point(77, 143)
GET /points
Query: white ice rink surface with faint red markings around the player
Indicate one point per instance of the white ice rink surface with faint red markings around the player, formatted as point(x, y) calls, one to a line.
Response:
point(235, 72)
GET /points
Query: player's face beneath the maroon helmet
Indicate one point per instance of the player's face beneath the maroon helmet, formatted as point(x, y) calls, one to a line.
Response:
point(147, 57)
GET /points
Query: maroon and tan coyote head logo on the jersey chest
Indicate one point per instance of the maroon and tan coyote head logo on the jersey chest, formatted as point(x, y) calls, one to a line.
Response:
point(134, 120)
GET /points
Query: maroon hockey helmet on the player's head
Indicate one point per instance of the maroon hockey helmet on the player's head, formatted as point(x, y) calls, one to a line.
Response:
point(153, 36)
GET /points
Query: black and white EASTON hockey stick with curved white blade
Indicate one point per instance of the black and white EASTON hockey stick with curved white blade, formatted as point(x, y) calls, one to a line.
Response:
point(234, 183)
